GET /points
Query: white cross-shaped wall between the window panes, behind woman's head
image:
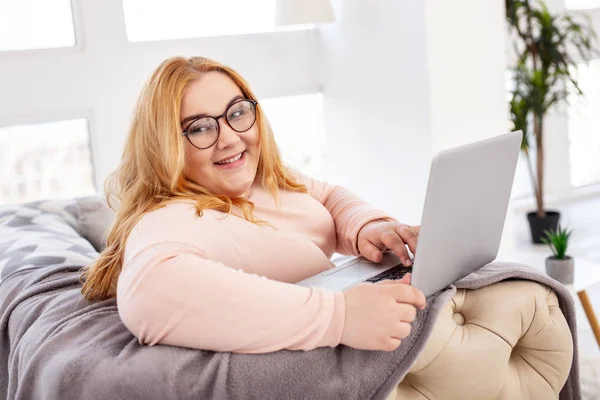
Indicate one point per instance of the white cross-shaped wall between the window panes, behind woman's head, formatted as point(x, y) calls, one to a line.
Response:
point(101, 77)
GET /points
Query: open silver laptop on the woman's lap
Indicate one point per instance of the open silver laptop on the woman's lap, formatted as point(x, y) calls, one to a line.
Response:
point(463, 217)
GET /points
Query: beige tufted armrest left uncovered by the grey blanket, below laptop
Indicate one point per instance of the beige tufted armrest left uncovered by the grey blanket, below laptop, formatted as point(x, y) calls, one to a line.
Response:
point(506, 341)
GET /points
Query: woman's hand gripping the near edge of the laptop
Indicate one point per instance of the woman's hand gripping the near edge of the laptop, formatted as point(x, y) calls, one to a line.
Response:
point(379, 316)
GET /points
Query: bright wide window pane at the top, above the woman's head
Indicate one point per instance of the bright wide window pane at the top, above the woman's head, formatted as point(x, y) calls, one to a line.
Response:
point(177, 19)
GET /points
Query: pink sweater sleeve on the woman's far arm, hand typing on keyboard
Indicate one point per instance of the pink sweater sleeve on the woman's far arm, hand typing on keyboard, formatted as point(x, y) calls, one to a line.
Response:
point(350, 213)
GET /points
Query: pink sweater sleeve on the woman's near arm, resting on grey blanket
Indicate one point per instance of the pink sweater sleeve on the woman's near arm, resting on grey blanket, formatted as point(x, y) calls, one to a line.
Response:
point(171, 293)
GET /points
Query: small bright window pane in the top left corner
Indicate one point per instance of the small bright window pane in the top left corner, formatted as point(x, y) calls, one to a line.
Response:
point(36, 24)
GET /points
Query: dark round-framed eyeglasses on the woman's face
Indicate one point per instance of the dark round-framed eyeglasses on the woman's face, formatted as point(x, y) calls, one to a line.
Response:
point(203, 132)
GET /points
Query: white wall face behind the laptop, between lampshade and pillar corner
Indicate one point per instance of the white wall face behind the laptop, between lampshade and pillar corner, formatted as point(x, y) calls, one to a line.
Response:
point(377, 115)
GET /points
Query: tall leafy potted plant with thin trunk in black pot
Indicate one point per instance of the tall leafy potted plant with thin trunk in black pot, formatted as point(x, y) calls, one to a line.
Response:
point(548, 48)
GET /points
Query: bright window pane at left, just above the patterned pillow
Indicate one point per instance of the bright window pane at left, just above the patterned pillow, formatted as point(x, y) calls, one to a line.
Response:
point(45, 161)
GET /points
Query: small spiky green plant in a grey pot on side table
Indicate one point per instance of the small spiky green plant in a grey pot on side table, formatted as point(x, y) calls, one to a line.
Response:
point(559, 266)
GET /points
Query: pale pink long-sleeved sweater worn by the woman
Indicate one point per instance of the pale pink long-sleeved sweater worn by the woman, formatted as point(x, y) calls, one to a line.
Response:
point(219, 282)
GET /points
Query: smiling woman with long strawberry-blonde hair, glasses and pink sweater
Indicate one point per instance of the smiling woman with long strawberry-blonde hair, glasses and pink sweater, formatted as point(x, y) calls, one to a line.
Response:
point(212, 231)
